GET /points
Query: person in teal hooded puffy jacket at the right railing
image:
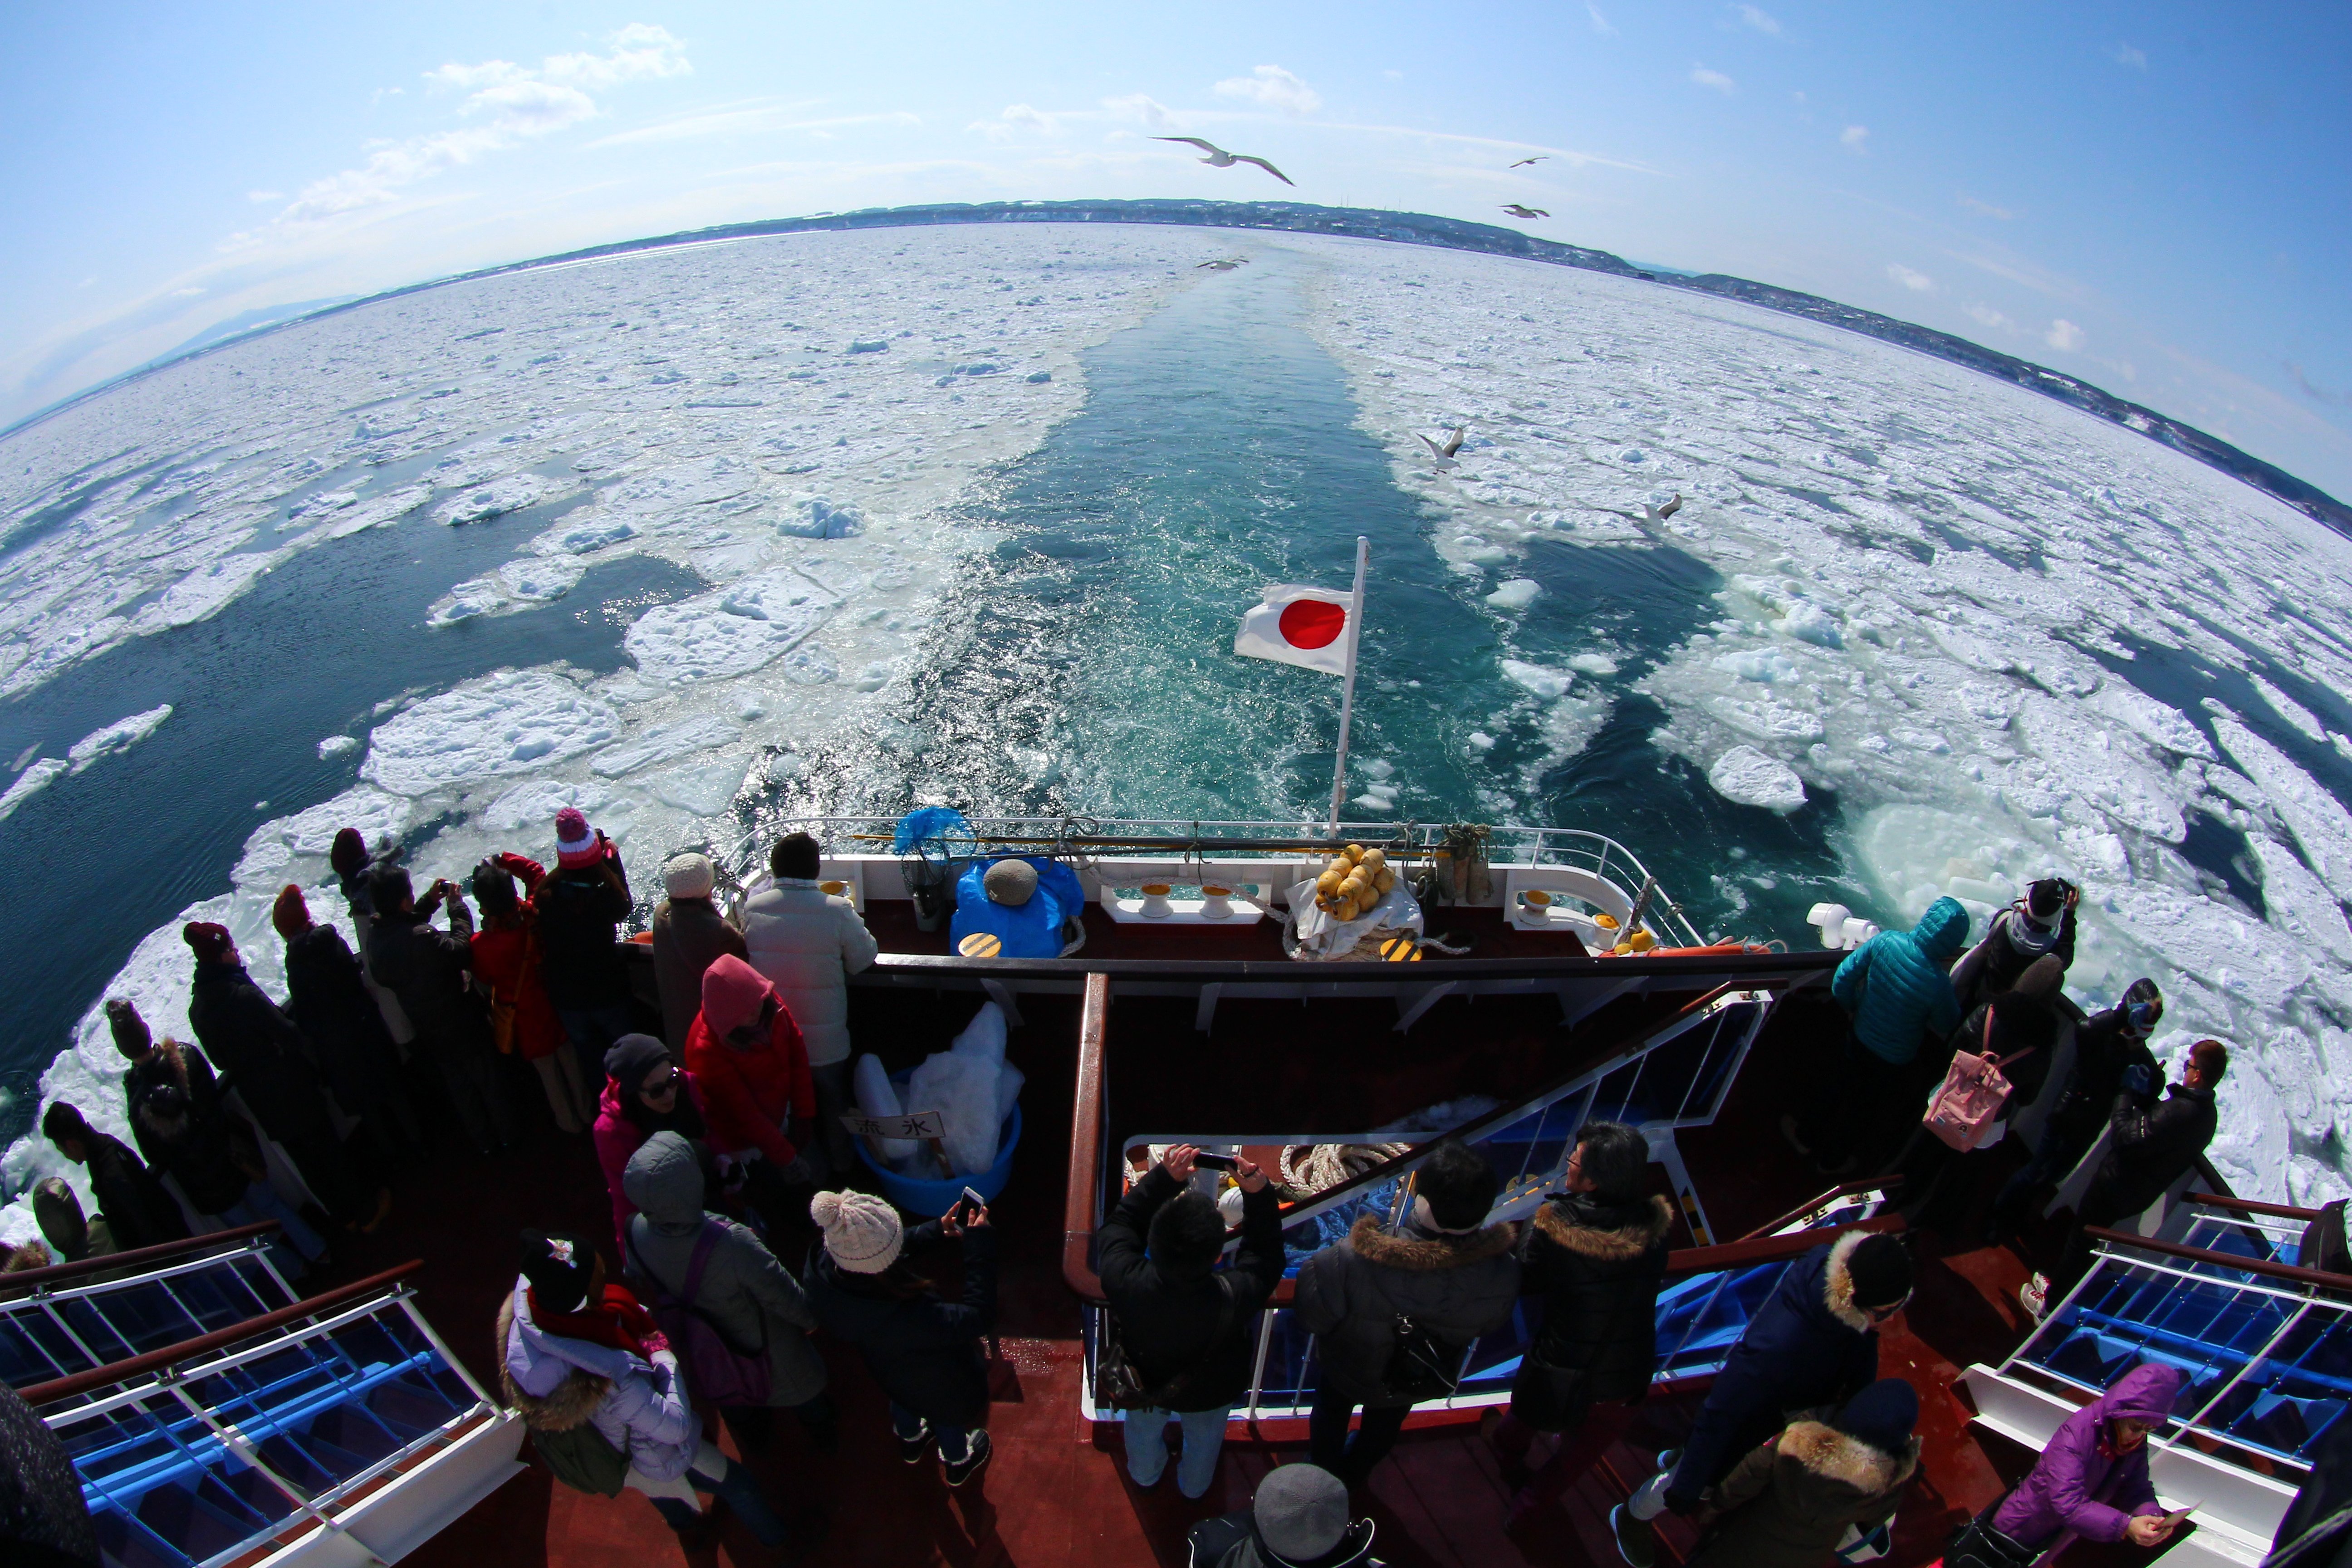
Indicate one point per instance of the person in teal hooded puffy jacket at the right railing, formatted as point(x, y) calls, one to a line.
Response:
point(1897, 991)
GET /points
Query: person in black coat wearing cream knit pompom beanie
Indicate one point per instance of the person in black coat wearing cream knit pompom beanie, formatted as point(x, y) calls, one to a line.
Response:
point(923, 1348)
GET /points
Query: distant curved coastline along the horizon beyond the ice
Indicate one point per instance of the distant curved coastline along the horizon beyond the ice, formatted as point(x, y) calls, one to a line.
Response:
point(1403, 229)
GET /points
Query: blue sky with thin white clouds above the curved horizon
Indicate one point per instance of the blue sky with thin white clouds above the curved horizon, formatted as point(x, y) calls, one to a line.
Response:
point(2156, 199)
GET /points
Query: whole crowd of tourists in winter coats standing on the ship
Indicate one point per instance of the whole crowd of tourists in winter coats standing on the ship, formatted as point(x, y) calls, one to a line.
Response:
point(728, 1130)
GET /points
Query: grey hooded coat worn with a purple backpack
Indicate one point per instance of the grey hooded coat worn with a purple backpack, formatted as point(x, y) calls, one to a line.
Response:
point(744, 1294)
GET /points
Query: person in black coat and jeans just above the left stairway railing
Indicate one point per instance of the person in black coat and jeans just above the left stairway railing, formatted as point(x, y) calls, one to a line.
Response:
point(192, 1137)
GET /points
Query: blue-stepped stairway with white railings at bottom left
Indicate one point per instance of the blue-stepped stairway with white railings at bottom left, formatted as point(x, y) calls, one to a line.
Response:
point(218, 1419)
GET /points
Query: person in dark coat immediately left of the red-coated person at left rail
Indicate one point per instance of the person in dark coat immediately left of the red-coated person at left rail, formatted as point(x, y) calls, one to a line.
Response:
point(432, 972)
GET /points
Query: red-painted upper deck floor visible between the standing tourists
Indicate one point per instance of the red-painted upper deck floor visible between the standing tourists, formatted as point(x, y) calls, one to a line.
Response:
point(1057, 1492)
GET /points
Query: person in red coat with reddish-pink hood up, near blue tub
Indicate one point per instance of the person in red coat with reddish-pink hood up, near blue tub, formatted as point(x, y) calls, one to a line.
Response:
point(759, 1094)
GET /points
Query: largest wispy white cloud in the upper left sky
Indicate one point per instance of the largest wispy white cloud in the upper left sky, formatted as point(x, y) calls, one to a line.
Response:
point(507, 107)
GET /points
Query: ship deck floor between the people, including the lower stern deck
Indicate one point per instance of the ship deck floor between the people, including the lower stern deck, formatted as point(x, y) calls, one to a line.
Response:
point(1057, 1489)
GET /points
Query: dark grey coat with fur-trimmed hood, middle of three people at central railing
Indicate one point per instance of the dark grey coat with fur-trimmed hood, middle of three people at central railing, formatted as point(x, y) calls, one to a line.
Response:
point(1351, 1294)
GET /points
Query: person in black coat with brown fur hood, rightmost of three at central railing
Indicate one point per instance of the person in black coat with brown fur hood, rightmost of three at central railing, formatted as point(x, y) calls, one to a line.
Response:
point(1596, 1257)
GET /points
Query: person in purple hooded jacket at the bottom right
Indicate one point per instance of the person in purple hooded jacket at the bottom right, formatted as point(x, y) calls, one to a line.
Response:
point(2092, 1480)
